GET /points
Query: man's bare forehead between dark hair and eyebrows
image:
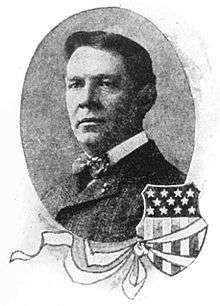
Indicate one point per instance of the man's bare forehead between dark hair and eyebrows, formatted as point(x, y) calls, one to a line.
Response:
point(91, 61)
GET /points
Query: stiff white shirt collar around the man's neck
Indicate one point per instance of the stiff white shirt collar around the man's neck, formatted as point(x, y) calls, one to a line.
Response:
point(126, 147)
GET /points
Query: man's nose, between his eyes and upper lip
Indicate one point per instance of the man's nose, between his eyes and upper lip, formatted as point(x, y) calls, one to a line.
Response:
point(89, 96)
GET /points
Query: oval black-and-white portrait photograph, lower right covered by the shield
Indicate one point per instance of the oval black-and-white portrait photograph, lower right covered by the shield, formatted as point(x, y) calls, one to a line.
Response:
point(97, 105)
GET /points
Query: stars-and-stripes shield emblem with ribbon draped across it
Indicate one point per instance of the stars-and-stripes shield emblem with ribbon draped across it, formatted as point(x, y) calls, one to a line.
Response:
point(172, 211)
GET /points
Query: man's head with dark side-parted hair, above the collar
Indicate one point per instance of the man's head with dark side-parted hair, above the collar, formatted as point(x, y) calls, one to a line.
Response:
point(110, 86)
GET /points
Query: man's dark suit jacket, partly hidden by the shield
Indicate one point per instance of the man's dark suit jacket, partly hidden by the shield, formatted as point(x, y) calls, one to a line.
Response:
point(109, 209)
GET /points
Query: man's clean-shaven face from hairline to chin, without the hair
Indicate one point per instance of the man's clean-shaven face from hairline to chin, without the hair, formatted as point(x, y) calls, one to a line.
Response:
point(99, 97)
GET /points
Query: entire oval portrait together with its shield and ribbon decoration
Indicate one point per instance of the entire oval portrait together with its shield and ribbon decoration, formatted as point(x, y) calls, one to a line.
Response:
point(107, 126)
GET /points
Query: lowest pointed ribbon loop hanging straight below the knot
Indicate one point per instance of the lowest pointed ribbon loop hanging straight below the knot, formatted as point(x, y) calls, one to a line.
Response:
point(135, 279)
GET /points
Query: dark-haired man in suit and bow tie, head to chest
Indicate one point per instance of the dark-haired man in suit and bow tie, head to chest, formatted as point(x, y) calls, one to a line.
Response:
point(110, 85)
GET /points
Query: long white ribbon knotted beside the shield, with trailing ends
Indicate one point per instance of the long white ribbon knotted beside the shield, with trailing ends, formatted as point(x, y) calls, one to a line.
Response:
point(86, 266)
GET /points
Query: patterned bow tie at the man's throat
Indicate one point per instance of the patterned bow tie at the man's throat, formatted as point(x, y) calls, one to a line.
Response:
point(96, 166)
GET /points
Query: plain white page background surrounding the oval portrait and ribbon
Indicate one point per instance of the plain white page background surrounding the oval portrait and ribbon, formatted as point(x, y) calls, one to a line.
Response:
point(194, 27)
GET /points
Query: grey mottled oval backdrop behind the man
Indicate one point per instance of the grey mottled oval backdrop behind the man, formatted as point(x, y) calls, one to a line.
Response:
point(48, 141)
